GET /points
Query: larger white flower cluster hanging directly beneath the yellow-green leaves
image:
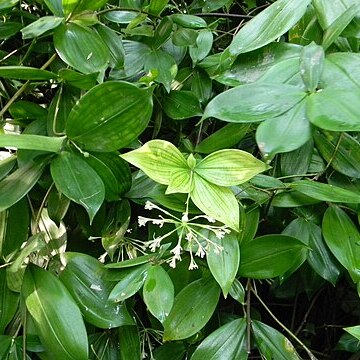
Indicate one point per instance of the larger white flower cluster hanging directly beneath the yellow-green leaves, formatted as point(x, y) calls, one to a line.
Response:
point(192, 235)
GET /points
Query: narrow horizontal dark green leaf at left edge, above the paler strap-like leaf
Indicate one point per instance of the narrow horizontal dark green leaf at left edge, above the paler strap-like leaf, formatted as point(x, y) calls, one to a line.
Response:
point(25, 73)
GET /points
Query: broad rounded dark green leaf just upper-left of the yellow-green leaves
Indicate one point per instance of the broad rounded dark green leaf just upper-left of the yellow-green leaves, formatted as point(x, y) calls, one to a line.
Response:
point(114, 123)
